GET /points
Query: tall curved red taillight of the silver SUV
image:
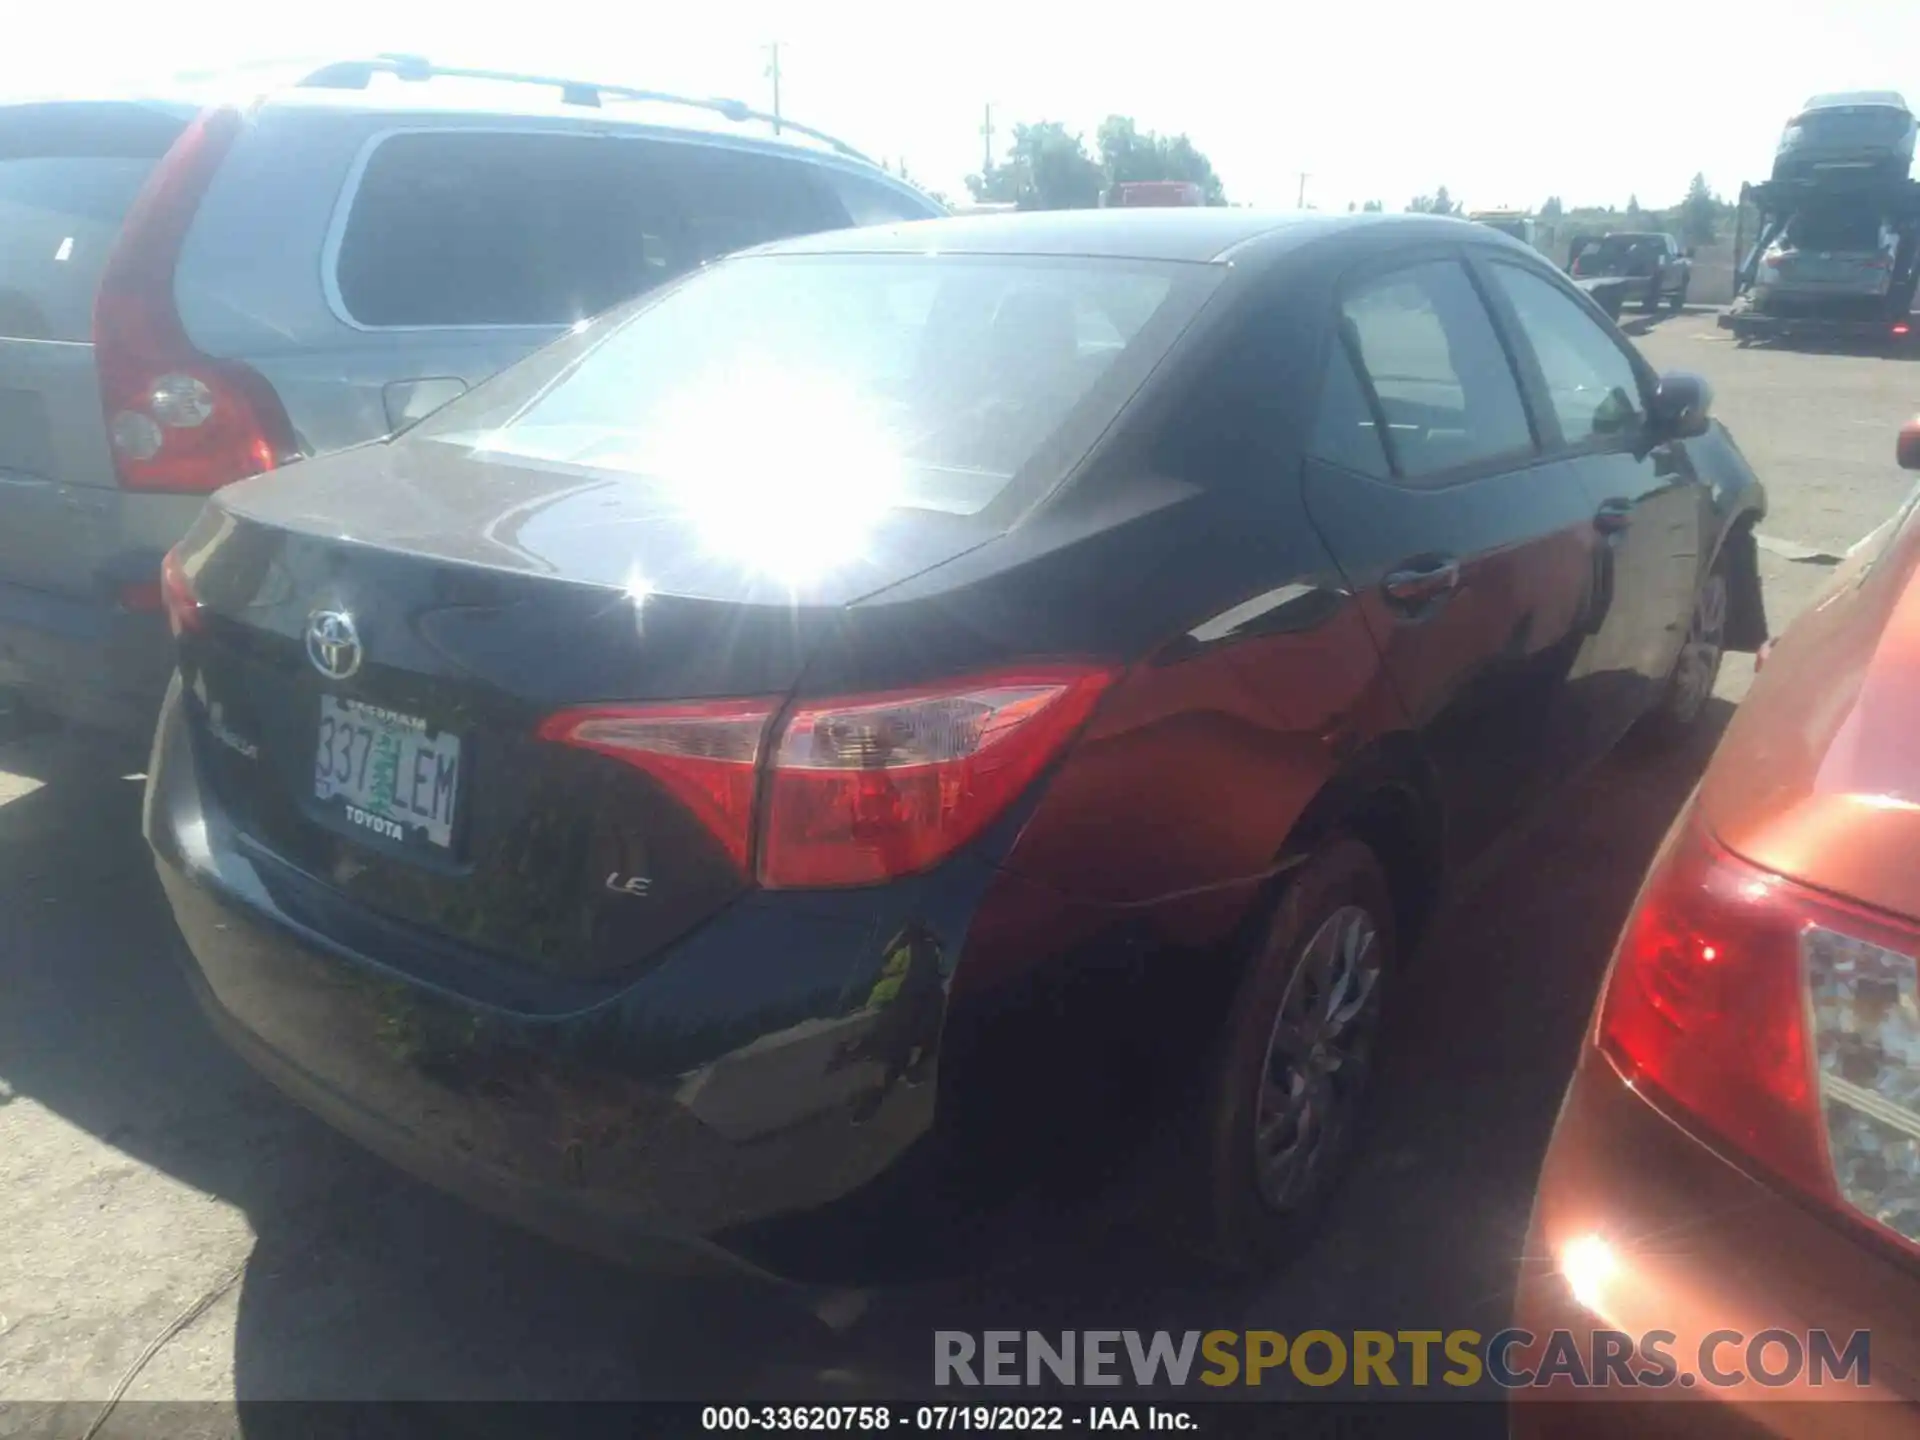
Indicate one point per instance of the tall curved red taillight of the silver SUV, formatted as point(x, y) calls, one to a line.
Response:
point(178, 420)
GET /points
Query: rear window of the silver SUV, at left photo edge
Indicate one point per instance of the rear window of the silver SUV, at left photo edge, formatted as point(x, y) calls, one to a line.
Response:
point(59, 222)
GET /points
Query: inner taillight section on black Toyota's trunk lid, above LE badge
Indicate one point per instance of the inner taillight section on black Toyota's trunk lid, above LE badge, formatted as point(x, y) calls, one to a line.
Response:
point(704, 756)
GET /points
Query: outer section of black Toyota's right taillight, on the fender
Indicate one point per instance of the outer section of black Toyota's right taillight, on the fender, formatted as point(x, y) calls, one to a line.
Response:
point(865, 790)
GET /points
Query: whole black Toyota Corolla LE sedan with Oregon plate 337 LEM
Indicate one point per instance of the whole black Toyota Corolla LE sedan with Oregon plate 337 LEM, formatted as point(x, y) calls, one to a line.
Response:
point(907, 706)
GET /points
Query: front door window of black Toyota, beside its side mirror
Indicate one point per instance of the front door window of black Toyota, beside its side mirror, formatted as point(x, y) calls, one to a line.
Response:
point(1593, 385)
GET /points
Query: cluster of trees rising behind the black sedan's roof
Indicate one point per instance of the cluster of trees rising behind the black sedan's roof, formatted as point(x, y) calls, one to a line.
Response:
point(1049, 166)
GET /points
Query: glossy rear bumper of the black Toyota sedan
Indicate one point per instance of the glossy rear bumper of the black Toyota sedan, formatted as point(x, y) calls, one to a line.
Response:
point(765, 1076)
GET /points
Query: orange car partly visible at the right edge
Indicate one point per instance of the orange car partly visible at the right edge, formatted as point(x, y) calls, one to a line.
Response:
point(1731, 1207)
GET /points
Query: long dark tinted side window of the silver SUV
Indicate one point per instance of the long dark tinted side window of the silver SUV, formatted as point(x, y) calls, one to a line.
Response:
point(471, 228)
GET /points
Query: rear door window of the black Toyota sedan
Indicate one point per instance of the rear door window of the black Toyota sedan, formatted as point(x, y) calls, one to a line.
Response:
point(1437, 368)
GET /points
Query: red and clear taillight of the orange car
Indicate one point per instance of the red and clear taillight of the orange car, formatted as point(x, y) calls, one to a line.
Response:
point(1783, 1022)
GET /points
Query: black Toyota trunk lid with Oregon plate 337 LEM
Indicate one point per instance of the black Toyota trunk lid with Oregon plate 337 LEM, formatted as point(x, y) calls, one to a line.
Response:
point(370, 692)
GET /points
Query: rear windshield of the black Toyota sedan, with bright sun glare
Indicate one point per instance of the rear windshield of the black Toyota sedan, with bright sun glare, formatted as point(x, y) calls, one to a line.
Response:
point(901, 381)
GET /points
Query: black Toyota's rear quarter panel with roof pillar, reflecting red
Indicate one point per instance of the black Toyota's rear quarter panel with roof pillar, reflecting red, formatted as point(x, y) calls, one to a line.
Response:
point(1251, 679)
